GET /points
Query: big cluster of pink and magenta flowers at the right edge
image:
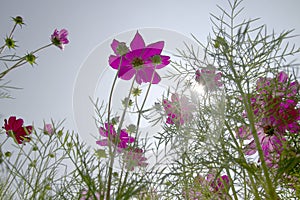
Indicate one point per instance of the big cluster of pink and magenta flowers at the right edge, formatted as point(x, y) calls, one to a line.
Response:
point(276, 113)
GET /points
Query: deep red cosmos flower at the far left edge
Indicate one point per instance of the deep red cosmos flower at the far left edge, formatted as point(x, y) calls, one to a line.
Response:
point(14, 128)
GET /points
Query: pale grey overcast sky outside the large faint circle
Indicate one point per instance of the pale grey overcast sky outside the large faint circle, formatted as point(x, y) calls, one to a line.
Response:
point(48, 87)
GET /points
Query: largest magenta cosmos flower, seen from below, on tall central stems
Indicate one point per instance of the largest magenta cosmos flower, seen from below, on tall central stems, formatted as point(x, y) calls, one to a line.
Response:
point(140, 61)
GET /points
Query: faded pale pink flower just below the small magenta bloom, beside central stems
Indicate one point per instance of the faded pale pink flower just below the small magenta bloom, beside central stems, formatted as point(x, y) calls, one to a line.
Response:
point(134, 158)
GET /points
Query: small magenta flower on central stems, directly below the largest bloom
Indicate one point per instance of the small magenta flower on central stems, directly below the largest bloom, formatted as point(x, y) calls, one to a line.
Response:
point(121, 141)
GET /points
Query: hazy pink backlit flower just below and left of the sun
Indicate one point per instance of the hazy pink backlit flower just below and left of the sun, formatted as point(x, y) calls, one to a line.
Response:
point(179, 109)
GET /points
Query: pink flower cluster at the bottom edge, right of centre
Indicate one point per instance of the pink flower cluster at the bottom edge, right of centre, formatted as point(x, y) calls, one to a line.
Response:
point(209, 187)
